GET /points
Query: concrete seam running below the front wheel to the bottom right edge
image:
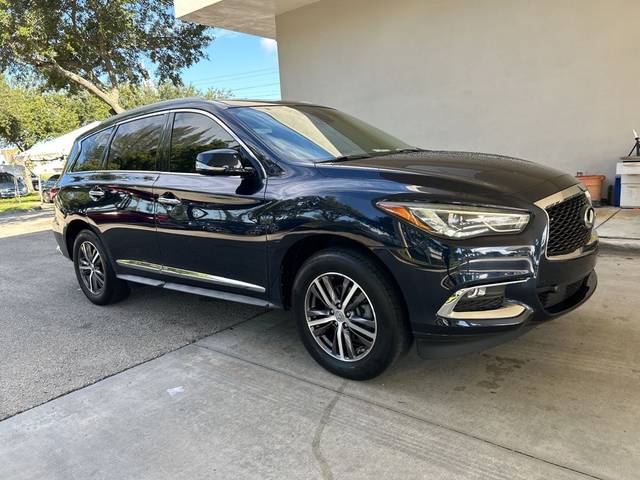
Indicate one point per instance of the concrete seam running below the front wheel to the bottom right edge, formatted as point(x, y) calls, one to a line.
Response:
point(405, 414)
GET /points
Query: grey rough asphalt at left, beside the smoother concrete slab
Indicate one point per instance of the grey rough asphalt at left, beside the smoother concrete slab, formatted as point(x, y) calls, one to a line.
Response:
point(54, 340)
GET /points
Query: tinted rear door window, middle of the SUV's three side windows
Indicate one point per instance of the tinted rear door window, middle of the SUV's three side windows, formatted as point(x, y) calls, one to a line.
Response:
point(135, 145)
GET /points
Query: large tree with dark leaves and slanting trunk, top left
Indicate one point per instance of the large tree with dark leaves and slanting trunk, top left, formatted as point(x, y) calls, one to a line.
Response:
point(98, 45)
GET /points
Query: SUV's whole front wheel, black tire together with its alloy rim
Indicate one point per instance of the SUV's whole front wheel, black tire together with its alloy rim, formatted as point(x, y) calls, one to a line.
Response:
point(374, 320)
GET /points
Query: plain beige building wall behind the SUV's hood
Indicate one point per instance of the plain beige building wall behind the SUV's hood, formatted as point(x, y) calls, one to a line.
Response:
point(554, 81)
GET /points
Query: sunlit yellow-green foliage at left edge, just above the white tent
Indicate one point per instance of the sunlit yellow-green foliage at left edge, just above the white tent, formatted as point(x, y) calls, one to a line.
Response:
point(27, 115)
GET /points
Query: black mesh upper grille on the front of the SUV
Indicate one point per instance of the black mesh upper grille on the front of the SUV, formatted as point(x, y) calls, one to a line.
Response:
point(567, 230)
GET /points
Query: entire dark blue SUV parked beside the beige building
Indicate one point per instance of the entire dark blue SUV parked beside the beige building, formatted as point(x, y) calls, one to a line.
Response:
point(371, 242)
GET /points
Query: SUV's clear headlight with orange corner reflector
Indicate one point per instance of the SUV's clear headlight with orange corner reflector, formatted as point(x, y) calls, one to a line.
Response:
point(458, 221)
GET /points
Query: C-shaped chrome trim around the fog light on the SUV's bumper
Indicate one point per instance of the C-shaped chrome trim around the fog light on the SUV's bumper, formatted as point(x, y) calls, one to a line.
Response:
point(500, 316)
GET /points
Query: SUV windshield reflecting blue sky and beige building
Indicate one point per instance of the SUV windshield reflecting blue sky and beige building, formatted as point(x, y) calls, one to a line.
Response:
point(302, 133)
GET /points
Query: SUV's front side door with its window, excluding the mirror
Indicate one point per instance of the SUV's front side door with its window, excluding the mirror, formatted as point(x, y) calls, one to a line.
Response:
point(209, 227)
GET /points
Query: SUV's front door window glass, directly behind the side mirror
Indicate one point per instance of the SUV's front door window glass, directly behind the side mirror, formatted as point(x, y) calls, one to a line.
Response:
point(194, 133)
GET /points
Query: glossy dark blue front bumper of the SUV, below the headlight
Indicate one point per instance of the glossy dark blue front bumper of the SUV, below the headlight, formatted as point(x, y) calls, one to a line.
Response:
point(533, 288)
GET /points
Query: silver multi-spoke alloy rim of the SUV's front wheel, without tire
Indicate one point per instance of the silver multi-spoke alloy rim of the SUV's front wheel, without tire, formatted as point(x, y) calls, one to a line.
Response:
point(340, 316)
